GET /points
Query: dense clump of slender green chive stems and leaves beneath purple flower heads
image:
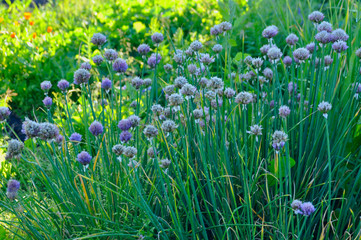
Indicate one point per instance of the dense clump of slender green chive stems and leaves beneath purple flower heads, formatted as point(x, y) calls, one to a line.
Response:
point(222, 182)
